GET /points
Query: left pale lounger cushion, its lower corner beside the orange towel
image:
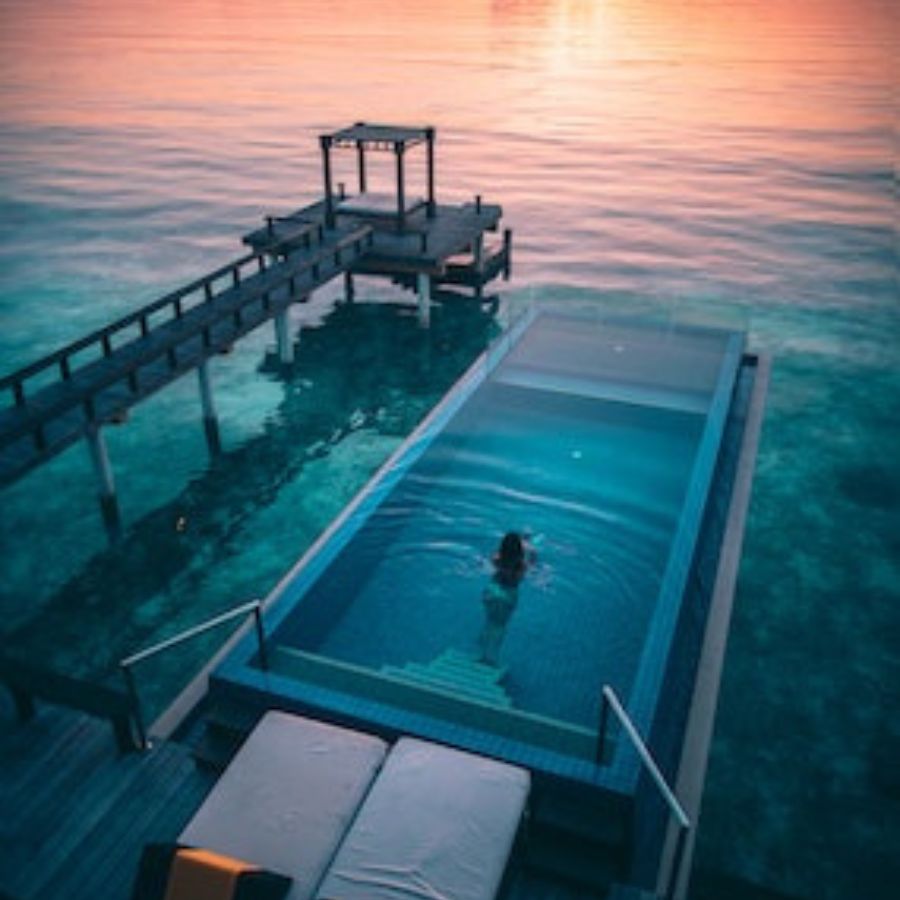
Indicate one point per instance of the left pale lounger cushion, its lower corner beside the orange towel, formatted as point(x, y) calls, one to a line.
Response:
point(287, 797)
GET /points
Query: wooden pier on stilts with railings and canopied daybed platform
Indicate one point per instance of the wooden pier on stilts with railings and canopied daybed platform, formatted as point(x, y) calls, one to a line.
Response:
point(74, 392)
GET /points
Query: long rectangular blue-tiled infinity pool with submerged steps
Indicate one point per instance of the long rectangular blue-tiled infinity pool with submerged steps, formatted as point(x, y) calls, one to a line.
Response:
point(599, 441)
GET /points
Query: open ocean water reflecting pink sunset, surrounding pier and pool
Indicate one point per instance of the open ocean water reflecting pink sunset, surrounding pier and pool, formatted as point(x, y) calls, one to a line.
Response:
point(721, 160)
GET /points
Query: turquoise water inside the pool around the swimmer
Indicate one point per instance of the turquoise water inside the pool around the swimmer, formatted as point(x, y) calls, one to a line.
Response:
point(599, 483)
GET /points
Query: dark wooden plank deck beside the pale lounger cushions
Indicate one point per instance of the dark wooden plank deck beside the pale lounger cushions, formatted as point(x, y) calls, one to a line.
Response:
point(75, 814)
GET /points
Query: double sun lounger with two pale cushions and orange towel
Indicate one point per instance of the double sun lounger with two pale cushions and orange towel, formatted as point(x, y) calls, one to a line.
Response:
point(324, 807)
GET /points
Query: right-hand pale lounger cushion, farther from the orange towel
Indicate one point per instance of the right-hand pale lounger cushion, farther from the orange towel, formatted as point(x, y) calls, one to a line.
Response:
point(437, 824)
